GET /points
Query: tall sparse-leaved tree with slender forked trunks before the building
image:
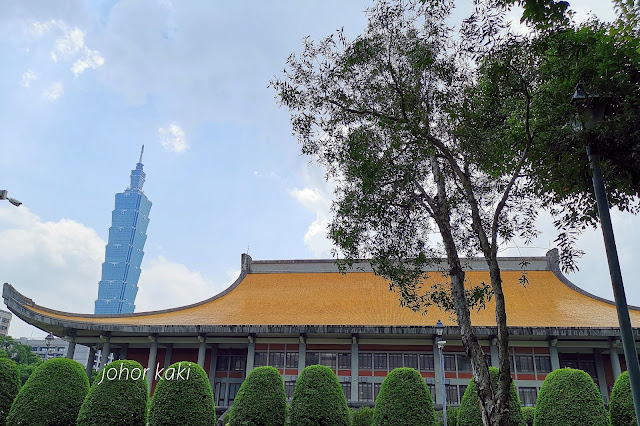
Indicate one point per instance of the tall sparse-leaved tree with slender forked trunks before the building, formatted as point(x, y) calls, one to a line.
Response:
point(383, 113)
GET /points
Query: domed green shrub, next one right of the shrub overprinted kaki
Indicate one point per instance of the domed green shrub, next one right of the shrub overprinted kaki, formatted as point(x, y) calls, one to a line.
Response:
point(261, 399)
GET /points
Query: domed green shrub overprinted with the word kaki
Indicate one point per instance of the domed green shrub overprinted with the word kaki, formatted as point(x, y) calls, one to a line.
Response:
point(183, 397)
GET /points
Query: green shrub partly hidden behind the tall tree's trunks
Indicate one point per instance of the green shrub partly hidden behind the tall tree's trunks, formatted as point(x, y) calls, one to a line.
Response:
point(470, 412)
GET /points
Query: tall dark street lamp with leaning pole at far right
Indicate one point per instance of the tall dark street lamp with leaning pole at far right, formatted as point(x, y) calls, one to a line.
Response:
point(594, 107)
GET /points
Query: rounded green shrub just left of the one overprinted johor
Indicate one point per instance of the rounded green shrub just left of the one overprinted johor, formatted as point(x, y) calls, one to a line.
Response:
point(52, 395)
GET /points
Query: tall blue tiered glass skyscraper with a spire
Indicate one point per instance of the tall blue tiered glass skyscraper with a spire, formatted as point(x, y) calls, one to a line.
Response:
point(121, 268)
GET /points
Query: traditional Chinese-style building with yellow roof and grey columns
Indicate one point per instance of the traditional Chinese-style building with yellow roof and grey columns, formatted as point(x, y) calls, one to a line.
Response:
point(292, 313)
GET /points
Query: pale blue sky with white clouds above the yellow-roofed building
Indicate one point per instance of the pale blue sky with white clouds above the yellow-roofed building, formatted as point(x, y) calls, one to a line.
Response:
point(85, 84)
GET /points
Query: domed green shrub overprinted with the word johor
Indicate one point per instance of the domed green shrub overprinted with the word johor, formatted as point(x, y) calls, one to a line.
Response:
point(117, 401)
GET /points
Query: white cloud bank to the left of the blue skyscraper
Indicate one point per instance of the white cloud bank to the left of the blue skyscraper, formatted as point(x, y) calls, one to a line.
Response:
point(55, 263)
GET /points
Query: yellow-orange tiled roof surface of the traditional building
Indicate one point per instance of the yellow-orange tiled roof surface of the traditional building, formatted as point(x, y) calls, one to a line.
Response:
point(361, 298)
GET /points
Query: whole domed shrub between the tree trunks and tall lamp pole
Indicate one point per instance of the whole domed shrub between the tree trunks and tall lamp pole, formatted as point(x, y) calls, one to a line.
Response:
point(569, 397)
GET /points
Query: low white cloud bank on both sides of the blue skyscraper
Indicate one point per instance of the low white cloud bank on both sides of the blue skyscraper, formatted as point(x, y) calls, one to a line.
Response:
point(58, 265)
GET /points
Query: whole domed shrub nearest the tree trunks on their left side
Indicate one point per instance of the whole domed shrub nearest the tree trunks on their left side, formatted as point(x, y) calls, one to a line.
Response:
point(404, 400)
